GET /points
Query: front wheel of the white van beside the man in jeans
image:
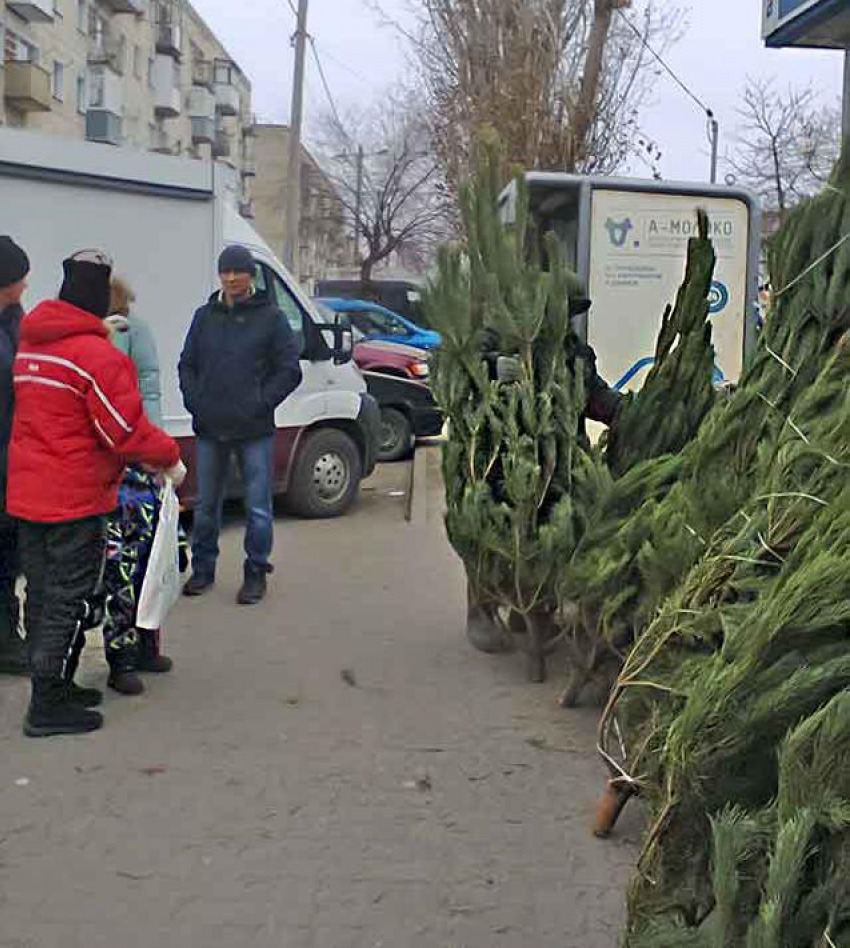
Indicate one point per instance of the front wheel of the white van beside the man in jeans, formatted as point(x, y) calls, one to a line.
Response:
point(326, 475)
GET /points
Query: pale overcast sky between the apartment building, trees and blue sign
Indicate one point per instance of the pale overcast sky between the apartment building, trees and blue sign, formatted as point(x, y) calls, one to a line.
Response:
point(721, 47)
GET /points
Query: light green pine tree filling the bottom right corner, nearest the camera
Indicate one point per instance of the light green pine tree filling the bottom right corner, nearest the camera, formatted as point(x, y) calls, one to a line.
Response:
point(779, 875)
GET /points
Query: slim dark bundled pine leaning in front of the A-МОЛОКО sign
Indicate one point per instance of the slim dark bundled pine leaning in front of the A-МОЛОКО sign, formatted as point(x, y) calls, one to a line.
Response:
point(600, 584)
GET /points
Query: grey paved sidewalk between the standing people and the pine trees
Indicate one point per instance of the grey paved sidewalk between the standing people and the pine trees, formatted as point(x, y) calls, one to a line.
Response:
point(335, 768)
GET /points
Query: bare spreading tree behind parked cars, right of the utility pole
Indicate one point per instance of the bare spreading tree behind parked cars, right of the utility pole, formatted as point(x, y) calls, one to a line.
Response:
point(383, 165)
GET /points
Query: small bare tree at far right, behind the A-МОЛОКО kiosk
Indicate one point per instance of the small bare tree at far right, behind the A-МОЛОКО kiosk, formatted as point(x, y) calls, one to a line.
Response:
point(787, 145)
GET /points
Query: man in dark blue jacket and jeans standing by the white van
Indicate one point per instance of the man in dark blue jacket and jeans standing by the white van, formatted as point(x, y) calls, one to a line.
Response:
point(239, 362)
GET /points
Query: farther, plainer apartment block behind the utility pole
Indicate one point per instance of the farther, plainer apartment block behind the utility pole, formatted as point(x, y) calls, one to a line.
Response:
point(326, 241)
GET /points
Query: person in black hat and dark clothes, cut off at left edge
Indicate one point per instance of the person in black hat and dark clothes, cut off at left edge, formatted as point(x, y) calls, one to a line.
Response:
point(14, 267)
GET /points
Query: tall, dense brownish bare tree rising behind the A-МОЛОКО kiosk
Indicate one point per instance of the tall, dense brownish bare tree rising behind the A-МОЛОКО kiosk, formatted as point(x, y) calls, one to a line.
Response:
point(561, 81)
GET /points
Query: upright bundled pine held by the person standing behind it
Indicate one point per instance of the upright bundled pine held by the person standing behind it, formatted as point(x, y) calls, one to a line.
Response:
point(518, 471)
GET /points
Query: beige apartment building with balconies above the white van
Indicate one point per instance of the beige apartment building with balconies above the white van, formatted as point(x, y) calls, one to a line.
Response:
point(144, 73)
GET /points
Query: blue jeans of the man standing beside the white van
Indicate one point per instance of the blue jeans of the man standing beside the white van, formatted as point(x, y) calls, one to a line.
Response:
point(256, 465)
